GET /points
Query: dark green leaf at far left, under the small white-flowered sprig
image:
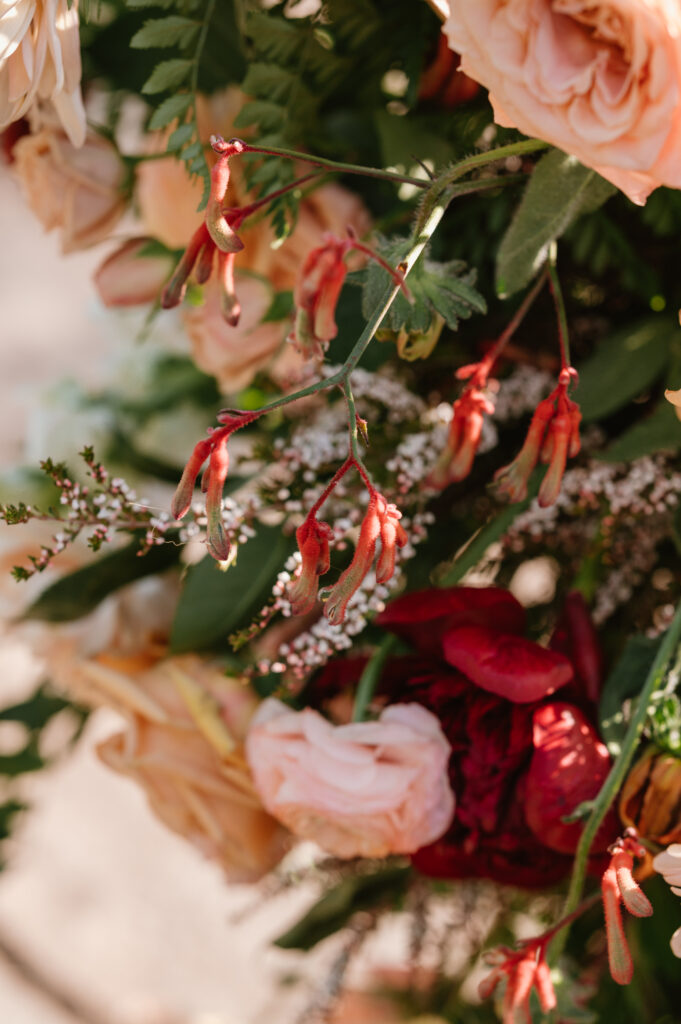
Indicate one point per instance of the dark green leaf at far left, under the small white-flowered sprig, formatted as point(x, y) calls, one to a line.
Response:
point(77, 594)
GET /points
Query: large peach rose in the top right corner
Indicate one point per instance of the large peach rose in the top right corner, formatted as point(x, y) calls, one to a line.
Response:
point(601, 80)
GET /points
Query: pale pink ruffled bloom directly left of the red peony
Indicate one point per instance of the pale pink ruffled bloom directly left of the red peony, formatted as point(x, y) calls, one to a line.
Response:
point(363, 790)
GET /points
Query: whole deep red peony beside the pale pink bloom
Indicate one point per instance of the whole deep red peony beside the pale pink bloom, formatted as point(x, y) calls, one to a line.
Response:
point(521, 760)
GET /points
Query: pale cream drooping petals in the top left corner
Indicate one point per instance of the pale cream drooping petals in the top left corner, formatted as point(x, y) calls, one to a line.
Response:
point(40, 61)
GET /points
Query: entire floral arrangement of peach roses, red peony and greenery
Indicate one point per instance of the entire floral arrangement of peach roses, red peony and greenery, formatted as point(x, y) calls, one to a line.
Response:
point(398, 286)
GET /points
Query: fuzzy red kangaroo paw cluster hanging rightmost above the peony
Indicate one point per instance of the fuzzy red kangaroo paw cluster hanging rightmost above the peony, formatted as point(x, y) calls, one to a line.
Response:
point(554, 437)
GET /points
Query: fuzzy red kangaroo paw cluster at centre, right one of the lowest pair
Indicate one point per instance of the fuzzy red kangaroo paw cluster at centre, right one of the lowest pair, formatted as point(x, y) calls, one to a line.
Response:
point(380, 523)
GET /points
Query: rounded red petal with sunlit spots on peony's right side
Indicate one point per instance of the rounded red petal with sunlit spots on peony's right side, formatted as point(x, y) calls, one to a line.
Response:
point(569, 766)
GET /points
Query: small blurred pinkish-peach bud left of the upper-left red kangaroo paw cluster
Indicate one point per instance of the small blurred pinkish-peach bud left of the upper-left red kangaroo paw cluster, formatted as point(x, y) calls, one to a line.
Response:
point(133, 275)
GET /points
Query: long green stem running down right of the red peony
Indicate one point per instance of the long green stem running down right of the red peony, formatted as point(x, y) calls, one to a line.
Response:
point(619, 771)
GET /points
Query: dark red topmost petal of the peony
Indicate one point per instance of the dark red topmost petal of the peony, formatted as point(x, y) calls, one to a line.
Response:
point(423, 617)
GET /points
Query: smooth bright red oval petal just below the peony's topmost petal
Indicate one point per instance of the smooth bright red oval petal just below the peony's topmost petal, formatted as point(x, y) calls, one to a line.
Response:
point(508, 666)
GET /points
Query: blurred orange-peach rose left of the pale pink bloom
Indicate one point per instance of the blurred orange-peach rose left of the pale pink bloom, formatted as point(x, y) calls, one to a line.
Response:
point(186, 723)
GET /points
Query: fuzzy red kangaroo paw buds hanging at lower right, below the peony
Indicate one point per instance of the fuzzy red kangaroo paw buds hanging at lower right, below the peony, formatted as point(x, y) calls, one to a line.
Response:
point(619, 886)
